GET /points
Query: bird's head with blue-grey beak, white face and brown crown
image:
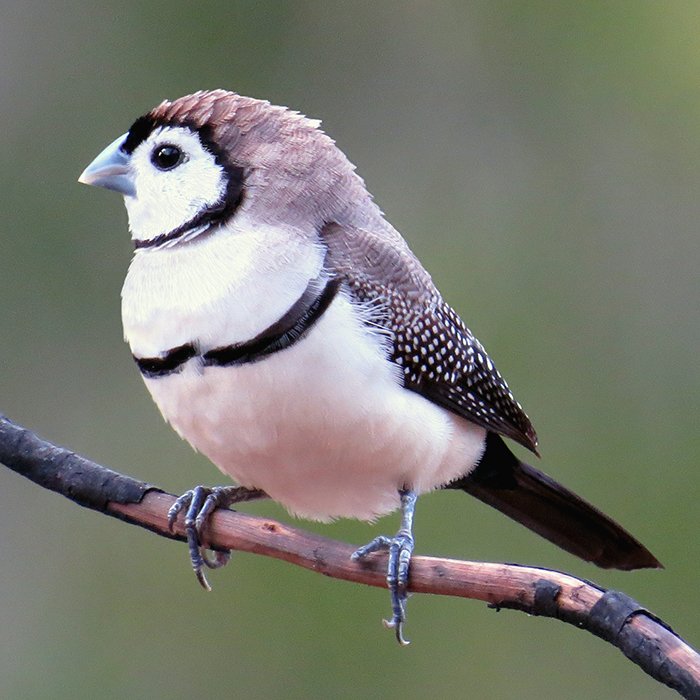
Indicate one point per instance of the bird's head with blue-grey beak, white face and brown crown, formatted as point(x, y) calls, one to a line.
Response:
point(198, 162)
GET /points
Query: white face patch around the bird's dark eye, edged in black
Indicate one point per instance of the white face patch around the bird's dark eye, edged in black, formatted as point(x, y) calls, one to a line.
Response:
point(167, 199)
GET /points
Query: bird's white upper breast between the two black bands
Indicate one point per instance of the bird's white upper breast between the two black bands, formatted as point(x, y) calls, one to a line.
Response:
point(224, 288)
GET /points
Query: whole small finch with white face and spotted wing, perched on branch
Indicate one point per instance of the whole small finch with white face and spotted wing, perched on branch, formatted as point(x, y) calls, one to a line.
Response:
point(286, 330)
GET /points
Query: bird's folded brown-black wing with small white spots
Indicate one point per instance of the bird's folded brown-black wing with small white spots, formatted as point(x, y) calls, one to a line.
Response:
point(439, 356)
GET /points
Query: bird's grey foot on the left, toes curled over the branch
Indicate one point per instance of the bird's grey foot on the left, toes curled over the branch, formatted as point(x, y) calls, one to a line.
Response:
point(200, 502)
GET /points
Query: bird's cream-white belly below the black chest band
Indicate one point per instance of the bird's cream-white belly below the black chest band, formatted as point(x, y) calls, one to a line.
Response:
point(323, 427)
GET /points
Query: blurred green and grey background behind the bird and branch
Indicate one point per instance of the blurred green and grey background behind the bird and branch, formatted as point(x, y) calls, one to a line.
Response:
point(542, 159)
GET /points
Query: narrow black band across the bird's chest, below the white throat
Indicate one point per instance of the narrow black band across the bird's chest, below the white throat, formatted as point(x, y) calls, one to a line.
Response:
point(283, 333)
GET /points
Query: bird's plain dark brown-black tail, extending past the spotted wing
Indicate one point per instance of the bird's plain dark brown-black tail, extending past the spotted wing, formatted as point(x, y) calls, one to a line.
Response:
point(551, 510)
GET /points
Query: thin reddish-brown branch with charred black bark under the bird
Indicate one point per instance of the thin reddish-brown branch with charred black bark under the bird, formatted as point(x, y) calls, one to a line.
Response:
point(613, 616)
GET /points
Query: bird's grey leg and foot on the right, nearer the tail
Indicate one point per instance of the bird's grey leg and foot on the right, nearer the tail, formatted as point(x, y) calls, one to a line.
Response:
point(400, 550)
